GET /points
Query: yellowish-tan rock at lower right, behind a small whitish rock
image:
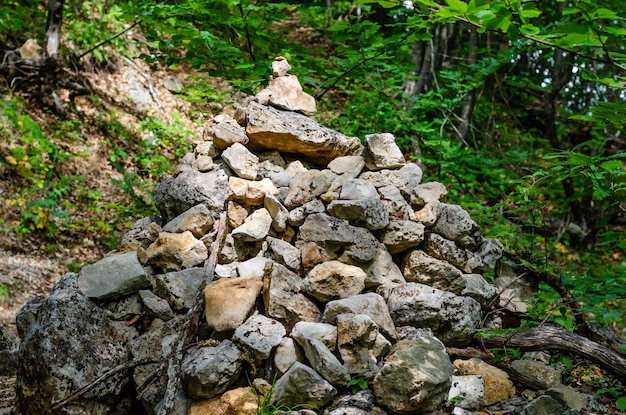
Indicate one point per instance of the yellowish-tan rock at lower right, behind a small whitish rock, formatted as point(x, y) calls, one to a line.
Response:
point(498, 387)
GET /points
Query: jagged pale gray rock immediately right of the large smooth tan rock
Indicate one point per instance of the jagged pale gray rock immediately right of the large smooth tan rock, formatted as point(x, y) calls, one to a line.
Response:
point(284, 300)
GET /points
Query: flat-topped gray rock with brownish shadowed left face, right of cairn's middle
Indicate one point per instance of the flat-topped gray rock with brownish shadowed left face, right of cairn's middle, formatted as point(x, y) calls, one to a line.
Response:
point(370, 213)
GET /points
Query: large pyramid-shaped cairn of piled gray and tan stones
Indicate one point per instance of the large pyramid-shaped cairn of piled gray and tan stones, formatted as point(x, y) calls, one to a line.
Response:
point(339, 266)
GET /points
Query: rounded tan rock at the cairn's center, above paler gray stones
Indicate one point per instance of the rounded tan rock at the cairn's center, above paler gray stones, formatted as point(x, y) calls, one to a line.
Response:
point(333, 280)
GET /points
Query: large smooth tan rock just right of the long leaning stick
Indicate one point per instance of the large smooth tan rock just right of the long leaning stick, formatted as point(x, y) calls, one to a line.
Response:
point(230, 301)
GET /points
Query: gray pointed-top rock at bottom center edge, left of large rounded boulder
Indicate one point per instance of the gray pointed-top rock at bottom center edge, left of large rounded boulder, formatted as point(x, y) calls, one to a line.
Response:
point(301, 385)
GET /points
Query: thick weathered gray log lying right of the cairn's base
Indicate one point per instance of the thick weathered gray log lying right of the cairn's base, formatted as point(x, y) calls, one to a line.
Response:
point(550, 337)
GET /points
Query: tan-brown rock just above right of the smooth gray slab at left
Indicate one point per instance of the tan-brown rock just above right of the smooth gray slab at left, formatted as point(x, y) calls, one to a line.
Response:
point(176, 251)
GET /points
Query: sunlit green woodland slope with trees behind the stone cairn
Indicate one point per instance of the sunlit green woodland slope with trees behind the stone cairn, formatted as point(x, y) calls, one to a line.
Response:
point(518, 107)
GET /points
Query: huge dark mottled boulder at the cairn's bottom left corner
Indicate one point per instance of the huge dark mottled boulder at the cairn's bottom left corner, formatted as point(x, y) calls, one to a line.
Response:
point(68, 342)
